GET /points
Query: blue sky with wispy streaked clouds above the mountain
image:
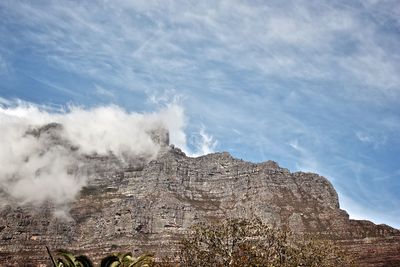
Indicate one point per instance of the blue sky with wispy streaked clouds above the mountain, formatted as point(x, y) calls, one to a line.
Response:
point(313, 85)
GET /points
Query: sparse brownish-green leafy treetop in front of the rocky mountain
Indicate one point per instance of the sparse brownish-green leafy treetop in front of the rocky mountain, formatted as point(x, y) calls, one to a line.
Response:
point(241, 242)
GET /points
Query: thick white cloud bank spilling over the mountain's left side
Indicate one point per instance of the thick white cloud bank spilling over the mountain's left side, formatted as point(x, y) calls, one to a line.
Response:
point(43, 150)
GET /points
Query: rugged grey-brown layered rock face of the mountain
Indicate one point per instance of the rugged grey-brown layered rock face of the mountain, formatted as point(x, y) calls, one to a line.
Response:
point(146, 207)
